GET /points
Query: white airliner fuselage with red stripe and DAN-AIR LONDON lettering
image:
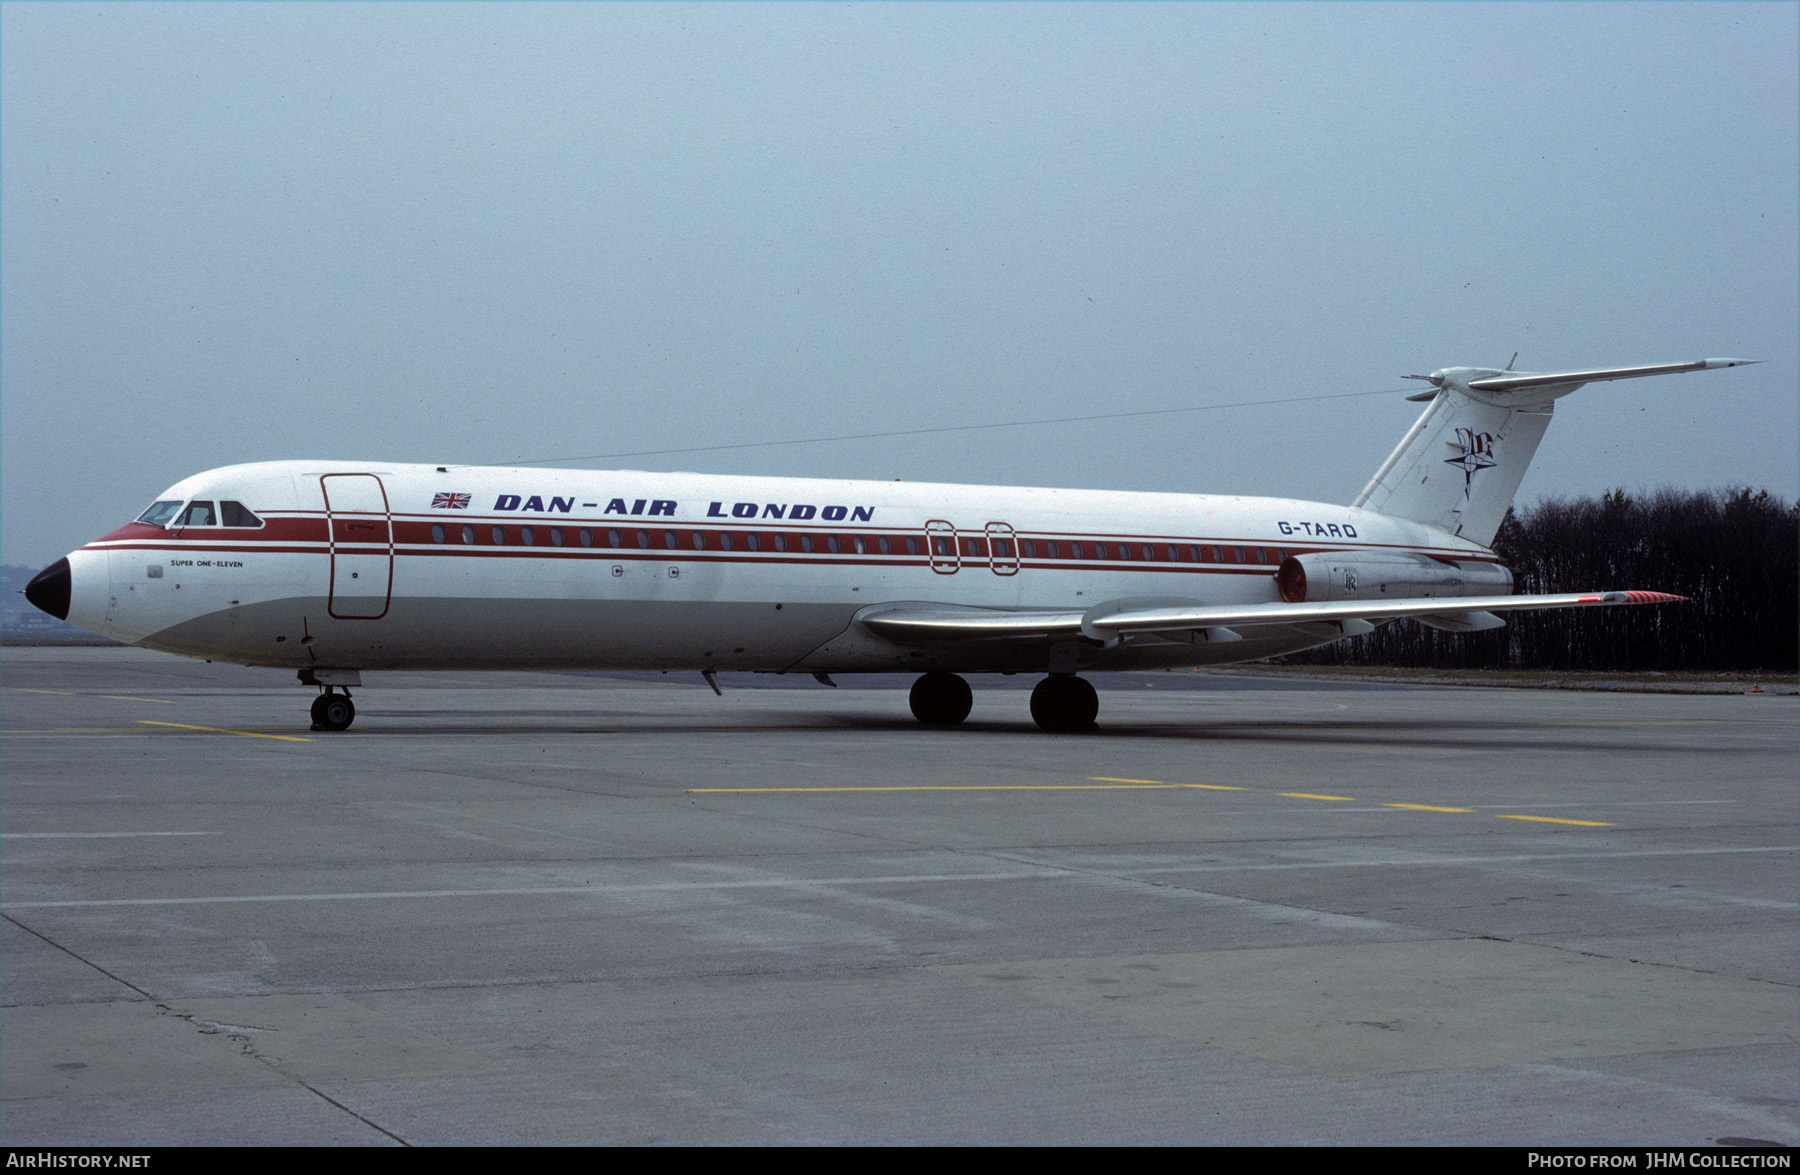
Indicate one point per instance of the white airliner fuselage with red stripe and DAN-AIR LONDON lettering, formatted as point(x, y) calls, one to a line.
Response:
point(379, 566)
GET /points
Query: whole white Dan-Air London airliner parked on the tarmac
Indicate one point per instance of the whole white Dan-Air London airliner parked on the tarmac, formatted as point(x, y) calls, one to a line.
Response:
point(332, 568)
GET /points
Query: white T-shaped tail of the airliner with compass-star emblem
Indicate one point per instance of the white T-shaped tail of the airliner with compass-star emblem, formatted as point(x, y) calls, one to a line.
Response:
point(1464, 460)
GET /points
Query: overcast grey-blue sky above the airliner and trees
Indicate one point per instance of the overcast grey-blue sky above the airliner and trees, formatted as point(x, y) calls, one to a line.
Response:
point(512, 231)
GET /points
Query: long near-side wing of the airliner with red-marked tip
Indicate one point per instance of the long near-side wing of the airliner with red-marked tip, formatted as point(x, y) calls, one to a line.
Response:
point(922, 623)
